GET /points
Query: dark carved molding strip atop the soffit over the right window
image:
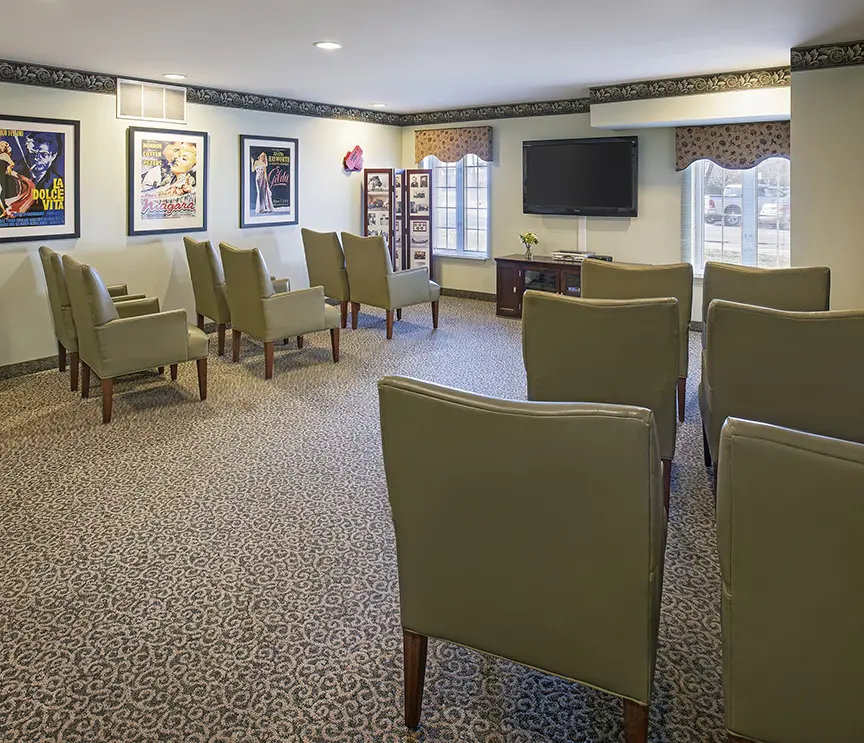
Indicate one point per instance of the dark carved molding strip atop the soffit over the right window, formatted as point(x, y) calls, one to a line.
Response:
point(775, 77)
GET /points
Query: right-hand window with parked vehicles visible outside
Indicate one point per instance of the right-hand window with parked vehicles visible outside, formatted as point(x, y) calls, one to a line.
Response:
point(736, 216)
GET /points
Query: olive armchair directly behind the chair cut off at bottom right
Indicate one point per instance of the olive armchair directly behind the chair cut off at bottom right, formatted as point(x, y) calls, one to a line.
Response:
point(795, 369)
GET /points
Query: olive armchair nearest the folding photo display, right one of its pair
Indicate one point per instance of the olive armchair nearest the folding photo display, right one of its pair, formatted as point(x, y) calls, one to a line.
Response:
point(373, 281)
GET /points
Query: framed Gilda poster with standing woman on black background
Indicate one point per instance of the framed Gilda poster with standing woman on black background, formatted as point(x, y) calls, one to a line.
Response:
point(268, 181)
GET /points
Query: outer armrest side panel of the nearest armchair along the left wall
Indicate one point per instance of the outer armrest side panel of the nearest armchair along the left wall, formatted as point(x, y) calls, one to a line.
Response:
point(135, 343)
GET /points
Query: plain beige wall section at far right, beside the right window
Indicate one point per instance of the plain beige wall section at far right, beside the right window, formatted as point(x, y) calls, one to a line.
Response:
point(827, 162)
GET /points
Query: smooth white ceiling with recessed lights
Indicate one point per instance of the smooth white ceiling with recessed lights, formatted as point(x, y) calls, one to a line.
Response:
point(418, 56)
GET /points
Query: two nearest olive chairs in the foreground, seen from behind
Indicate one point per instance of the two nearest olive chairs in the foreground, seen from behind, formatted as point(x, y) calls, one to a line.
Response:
point(579, 596)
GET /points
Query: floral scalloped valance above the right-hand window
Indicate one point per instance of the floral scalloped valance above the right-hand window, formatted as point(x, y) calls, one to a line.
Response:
point(735, 146)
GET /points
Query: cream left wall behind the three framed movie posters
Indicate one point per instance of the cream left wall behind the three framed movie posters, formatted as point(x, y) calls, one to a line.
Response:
point(328, 200)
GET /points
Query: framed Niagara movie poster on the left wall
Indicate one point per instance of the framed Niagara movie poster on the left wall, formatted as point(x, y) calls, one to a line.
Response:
point(167, 181)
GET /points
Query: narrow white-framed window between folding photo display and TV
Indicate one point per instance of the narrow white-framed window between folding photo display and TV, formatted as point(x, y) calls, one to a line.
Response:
point(460, 203)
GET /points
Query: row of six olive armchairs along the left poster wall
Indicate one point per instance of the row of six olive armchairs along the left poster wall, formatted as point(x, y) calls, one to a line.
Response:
point(230, 286)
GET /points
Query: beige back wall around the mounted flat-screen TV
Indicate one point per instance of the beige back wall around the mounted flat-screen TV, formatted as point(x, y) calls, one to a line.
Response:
point(652, 237)
